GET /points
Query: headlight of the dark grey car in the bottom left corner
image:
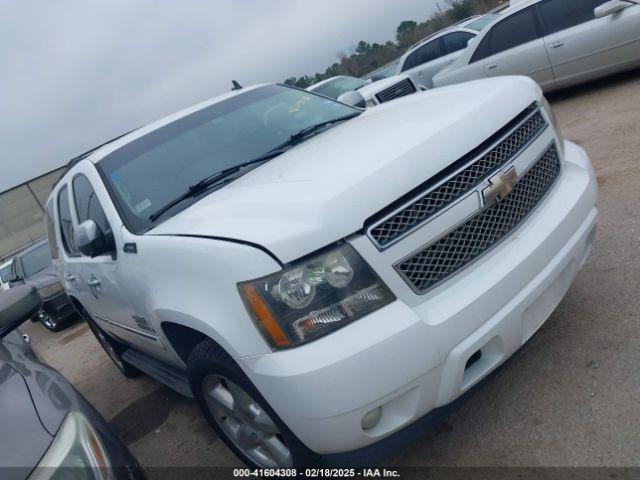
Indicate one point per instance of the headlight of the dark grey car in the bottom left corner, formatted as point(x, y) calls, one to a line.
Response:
point(76, 452)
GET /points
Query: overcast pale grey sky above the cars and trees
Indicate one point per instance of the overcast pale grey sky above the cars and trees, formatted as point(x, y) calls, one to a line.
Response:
point(74, 74)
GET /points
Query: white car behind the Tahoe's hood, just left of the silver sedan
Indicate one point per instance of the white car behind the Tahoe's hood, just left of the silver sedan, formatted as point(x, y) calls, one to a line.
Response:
point(434, 53)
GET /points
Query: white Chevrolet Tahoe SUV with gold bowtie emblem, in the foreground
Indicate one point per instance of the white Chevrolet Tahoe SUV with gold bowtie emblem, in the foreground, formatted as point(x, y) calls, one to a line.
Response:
point(324, 280)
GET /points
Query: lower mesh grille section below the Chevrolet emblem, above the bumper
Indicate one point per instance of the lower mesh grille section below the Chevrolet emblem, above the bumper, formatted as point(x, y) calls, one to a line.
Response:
point(436, 262)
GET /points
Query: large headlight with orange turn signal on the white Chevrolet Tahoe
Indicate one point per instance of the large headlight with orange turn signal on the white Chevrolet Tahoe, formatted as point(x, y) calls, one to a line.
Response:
point(314, 297)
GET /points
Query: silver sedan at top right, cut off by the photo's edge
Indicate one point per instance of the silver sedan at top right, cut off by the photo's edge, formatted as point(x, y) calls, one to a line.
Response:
point(558, 43)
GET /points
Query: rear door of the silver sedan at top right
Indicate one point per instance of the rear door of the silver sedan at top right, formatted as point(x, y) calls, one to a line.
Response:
point(516, 47)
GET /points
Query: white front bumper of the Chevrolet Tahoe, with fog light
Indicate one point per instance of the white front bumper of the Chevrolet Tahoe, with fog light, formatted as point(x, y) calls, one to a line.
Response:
point(410, 356)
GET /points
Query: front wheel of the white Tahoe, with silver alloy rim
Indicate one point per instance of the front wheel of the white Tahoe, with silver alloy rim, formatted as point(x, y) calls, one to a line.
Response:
point(208, 364)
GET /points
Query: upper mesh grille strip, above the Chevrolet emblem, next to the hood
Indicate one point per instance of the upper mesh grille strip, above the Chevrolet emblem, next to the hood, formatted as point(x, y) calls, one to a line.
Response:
point(387, 231)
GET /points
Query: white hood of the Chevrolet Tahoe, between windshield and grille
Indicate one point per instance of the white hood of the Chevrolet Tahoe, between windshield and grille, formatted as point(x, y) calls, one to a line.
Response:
point(324, 189)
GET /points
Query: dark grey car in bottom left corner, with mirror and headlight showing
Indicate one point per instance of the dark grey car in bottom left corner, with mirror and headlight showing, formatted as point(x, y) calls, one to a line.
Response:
point(48, 429)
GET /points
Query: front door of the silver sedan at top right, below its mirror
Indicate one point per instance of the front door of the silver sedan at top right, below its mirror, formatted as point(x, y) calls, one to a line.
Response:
point(581, 46)
